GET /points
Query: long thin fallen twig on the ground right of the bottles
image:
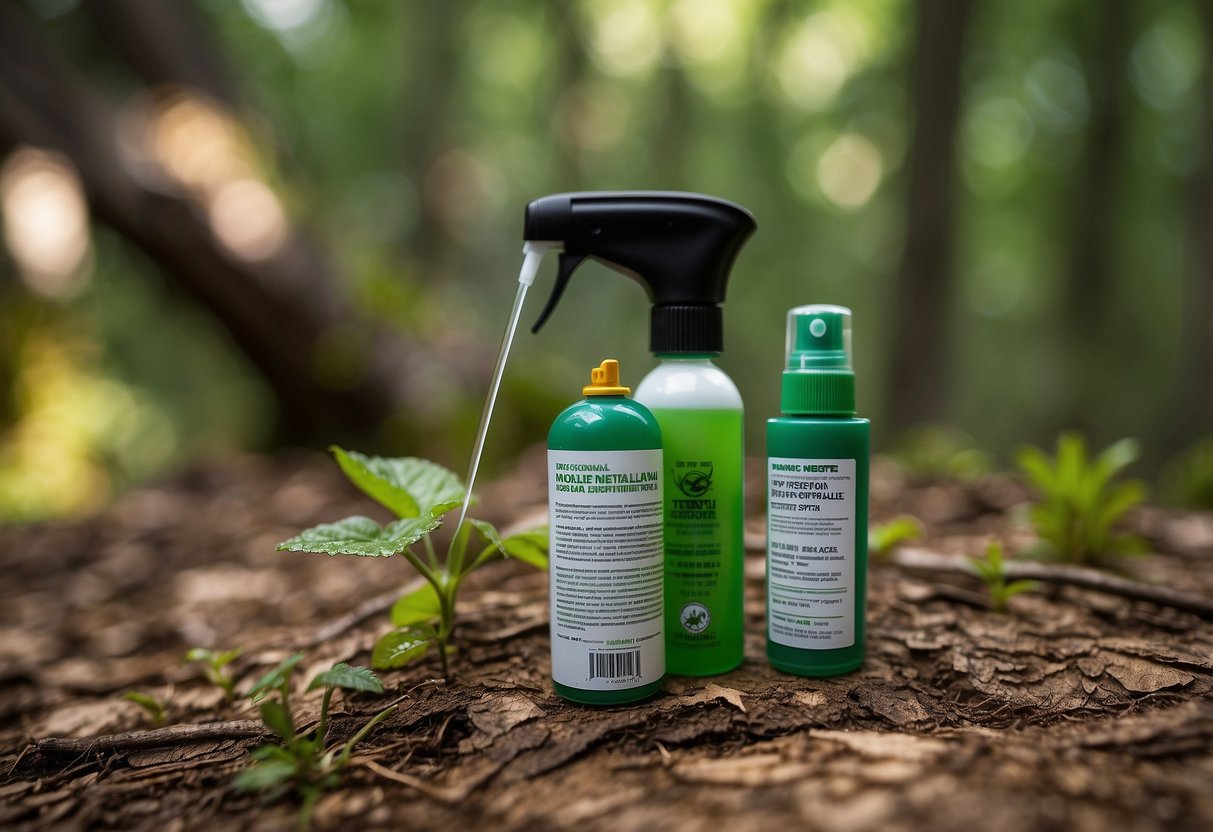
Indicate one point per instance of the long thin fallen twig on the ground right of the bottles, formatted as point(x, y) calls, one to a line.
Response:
point(1075, 577)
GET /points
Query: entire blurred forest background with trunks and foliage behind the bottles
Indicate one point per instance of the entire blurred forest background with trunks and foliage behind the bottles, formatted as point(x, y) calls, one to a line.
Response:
point(244, 226)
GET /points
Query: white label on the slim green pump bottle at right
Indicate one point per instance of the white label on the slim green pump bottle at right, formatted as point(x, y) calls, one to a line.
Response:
point(811, 552)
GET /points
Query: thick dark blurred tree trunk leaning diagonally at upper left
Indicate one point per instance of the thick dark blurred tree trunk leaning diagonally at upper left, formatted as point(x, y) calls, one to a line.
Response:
point(280, 311)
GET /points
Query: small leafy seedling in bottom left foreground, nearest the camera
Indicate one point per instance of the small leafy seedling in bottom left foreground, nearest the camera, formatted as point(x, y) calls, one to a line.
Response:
point(303, 761)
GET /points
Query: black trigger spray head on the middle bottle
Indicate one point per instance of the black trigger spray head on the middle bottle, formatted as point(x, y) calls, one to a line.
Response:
point(680, 247)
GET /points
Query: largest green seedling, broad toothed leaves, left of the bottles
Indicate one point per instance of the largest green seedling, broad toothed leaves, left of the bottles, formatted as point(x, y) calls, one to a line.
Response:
point(419, 493)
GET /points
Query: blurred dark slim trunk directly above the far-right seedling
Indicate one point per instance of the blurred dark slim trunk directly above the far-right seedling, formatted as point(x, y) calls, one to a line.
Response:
point(1089, 306)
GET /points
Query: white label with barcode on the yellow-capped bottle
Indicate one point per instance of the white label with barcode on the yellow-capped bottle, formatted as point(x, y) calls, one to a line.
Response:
point(605, 512)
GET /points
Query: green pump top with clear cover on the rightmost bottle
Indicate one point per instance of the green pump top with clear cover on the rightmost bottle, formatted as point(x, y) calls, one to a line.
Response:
point(818, 377)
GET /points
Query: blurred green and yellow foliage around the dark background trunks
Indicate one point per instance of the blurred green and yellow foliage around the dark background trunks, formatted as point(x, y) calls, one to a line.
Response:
point(407, 138)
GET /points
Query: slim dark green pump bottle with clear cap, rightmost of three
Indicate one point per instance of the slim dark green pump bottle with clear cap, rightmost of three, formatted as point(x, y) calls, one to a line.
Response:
point(817, 509)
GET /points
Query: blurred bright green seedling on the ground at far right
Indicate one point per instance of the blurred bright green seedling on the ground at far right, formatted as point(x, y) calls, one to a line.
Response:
point(1080, 505)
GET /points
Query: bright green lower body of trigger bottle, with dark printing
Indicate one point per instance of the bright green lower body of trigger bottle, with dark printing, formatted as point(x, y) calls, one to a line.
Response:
point(704, 538)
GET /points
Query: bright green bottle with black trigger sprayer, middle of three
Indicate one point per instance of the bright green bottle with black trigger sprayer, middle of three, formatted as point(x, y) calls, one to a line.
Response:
point(681, 249)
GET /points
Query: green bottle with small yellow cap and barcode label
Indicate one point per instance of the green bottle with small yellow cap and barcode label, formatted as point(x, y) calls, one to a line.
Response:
point(606, 518)
